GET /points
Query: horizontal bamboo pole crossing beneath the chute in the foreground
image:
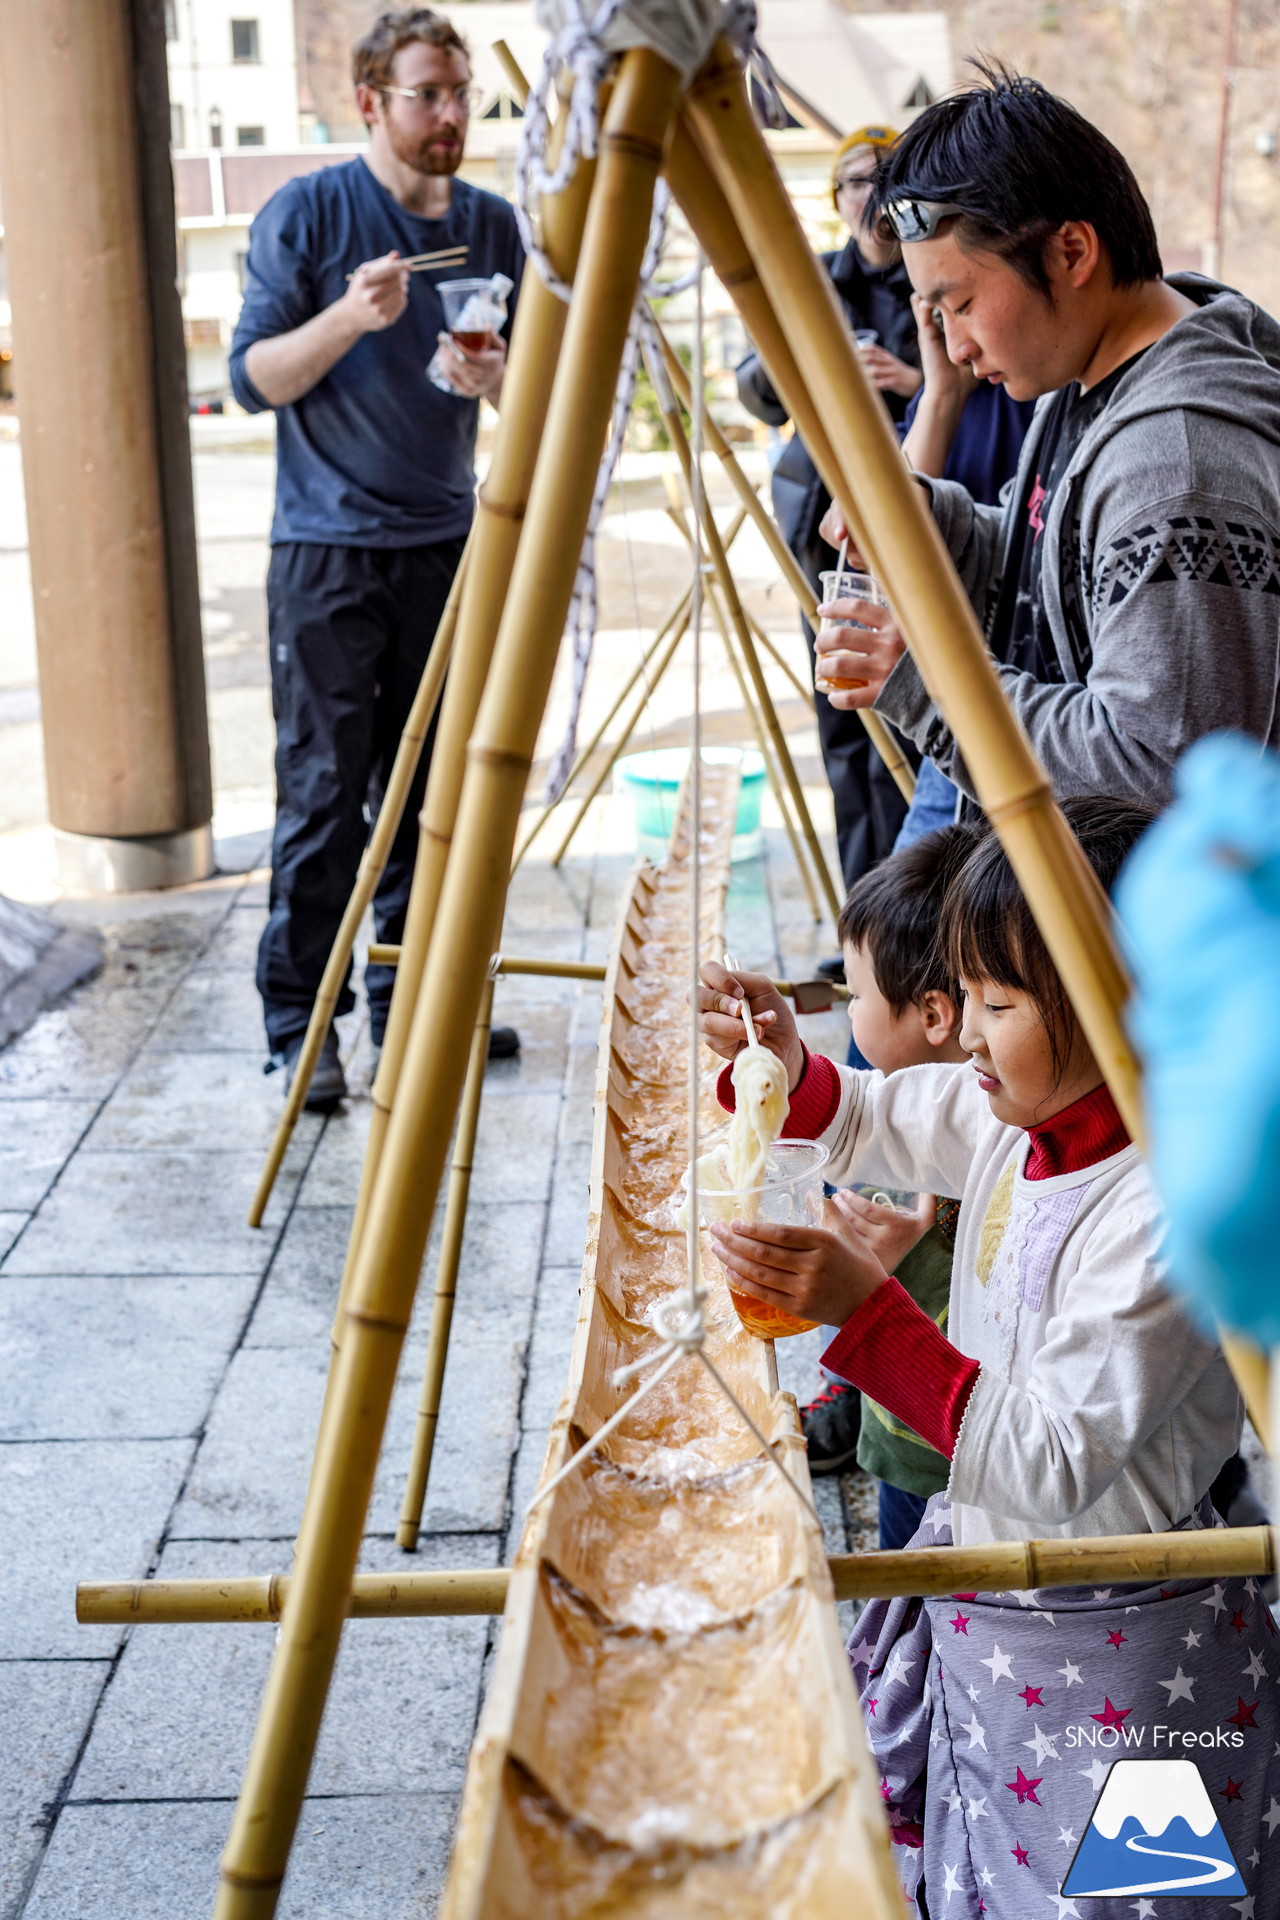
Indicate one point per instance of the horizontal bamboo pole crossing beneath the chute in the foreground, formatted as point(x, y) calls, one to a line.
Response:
point(1041, 1566)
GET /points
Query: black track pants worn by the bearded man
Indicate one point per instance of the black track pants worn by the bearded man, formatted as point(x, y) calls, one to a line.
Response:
point(350, 635)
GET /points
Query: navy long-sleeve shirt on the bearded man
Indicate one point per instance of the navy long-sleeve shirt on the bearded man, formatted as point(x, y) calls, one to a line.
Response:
point(375, 456)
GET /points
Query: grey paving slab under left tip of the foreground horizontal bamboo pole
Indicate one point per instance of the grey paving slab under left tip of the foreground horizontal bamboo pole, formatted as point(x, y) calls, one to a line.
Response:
point(78, 1512)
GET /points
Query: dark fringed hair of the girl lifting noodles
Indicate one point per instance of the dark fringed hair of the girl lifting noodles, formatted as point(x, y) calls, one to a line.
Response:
point(989, 930)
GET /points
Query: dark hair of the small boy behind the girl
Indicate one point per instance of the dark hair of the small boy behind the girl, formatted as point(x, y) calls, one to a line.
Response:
point(895, 913)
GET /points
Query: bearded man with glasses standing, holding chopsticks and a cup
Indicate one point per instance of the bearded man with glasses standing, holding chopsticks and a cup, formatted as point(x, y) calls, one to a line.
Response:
point(375, 492)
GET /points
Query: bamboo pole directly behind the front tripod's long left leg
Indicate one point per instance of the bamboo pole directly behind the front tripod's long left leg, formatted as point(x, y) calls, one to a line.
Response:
point(500, 519)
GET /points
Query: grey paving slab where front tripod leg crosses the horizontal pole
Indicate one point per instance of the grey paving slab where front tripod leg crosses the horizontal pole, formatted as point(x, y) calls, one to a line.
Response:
point(179, 1716)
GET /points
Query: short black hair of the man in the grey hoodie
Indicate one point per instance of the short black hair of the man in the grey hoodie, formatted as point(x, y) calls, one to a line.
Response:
point(1022, 162)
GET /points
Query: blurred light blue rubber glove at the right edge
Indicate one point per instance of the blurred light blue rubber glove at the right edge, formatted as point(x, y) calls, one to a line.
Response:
point(1200, 905)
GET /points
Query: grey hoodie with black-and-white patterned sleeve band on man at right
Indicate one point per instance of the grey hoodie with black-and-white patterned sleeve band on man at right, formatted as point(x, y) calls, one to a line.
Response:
point(1162, 565)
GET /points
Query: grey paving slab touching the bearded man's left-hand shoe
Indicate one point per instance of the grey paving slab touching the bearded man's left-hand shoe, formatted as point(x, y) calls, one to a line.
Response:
point(199, 1101)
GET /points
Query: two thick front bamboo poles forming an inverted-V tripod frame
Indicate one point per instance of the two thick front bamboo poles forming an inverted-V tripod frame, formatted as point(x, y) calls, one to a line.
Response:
point(736, 203)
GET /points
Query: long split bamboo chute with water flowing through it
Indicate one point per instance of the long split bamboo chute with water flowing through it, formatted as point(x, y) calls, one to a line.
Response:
point(671, 1598)
